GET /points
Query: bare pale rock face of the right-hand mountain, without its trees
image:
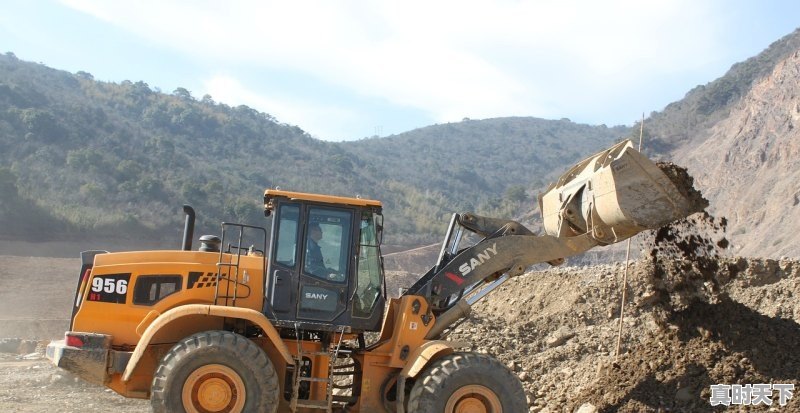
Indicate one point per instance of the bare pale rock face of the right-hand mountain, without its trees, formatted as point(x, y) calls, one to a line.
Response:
point(750, 165)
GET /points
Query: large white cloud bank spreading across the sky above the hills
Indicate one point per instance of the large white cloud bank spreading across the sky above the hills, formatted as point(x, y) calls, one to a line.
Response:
point(450, 59)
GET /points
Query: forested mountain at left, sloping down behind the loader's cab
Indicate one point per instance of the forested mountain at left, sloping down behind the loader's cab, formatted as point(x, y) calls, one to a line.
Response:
point(110, 159)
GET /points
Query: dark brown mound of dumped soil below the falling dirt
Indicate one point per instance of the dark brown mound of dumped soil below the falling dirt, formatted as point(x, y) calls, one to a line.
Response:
point(707, 344)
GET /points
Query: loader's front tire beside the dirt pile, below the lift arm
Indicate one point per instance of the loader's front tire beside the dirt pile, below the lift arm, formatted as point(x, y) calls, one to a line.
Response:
point(467, 382)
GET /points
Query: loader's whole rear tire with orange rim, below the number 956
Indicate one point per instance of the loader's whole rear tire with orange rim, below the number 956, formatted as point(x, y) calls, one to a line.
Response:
point(215, 371)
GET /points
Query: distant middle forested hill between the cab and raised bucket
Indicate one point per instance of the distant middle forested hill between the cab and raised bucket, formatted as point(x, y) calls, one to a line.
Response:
point(494, 166)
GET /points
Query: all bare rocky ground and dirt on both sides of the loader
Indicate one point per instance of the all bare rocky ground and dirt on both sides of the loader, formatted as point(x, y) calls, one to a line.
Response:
point(556, 328)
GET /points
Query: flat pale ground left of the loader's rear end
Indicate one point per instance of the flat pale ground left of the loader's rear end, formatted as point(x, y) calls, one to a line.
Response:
point(35, 298)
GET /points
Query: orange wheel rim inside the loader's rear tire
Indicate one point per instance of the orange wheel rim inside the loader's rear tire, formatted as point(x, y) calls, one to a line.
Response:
point(213, 388)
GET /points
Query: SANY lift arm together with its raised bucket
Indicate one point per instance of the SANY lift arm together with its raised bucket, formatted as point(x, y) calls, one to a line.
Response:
point(603, 199)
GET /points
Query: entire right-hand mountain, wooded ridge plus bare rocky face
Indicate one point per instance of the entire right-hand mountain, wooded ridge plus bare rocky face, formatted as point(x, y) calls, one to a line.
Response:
point(739, 136)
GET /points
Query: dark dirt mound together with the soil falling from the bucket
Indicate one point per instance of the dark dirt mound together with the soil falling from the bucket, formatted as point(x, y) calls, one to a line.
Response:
point(702, 336)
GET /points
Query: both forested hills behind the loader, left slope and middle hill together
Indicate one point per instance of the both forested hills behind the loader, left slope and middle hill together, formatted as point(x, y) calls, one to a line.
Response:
point(78, 156)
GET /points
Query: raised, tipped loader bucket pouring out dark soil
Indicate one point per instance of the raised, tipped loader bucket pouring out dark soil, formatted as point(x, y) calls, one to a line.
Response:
point(614, 195)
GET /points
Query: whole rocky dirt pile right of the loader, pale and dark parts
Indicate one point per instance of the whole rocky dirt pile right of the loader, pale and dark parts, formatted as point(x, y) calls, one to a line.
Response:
point(557, 329)
